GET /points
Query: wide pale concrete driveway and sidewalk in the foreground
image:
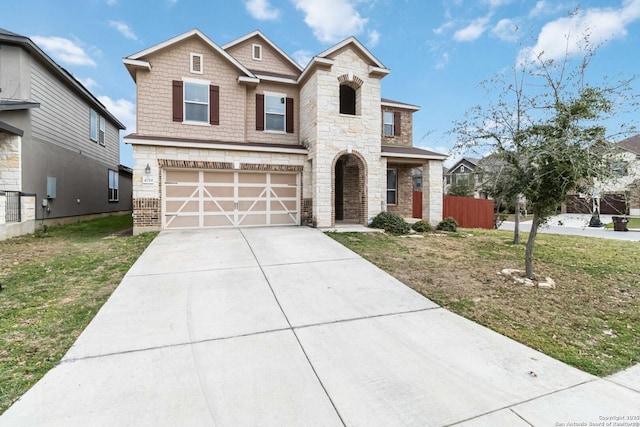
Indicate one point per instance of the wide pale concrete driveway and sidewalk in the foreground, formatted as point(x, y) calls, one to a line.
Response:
point(285, 327)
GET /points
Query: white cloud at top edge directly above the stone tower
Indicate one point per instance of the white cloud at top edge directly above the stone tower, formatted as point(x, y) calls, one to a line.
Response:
point(331, 20)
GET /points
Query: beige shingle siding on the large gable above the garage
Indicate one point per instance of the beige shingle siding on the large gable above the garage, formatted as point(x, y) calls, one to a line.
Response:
point(155, 101)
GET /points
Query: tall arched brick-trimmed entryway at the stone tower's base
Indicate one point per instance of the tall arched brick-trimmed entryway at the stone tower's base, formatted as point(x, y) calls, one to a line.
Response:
point(349, 189)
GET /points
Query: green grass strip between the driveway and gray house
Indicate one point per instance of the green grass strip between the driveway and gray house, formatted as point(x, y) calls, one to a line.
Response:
point(53, 285)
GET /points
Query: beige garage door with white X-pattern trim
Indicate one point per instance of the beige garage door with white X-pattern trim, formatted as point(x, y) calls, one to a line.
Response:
point(205, 199)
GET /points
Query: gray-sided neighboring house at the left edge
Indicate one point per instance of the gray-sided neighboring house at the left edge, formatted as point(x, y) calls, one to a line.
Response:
point(58, 143)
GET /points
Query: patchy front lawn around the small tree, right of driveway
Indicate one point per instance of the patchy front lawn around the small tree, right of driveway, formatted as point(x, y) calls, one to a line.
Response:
point(591, 320)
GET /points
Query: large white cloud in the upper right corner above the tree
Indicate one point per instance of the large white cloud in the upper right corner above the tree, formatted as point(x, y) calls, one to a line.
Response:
point(566, 35)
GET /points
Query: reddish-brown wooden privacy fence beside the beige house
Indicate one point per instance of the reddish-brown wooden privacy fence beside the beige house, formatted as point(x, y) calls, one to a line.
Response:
point(469, 212)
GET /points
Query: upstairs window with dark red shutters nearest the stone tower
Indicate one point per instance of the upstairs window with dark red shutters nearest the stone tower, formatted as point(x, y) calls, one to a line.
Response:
point(274, 112)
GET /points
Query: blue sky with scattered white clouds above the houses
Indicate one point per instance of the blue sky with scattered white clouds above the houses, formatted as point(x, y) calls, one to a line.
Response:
point(438, 50)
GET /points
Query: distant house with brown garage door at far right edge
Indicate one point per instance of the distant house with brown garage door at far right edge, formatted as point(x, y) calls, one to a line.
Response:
point(621, 194)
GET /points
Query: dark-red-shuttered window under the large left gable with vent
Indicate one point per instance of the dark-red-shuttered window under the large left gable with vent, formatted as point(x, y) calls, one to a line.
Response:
point(196, 102)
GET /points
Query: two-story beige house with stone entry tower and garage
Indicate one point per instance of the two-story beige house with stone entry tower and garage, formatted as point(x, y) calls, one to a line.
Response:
point(241, 135)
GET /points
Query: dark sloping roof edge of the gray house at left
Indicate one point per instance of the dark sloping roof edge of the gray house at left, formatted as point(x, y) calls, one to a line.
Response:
point(64, 76)
